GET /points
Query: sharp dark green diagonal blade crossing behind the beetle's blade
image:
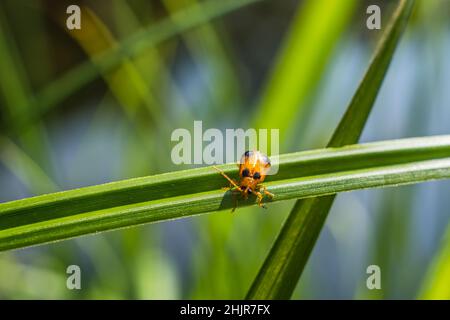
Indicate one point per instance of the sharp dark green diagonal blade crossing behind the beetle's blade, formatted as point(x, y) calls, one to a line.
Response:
point(285, 262)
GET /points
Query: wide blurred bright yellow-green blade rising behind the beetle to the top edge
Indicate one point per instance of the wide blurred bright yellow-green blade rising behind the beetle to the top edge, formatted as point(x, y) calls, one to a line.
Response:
point(315, 31)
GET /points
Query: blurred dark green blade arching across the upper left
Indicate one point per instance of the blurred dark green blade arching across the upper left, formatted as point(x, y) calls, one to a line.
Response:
point(150, 36)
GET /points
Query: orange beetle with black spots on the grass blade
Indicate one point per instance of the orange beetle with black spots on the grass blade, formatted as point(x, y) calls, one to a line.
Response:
point(253, 169)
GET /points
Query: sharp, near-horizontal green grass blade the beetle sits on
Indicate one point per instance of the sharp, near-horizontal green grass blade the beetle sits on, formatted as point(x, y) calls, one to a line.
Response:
point(185, 193)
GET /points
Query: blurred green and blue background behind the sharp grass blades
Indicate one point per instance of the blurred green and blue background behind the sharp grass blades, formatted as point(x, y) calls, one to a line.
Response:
point(85, 107)
